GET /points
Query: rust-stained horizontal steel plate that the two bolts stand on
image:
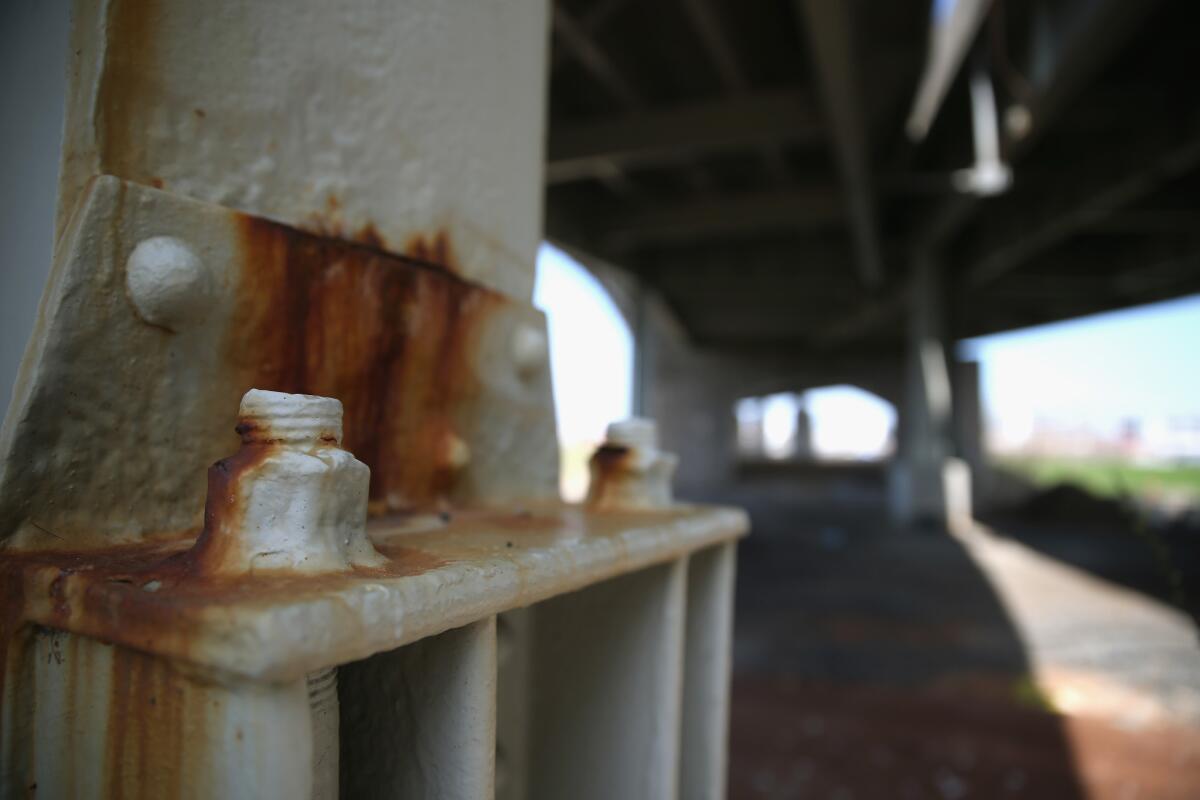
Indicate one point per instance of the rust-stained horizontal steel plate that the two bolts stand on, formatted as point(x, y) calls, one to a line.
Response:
point(442, 572)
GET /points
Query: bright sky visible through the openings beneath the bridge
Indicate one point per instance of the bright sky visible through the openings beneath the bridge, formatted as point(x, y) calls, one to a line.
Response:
point(1096, 372)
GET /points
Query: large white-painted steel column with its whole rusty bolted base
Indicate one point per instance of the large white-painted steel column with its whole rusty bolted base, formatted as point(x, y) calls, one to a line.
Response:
point(349, 353)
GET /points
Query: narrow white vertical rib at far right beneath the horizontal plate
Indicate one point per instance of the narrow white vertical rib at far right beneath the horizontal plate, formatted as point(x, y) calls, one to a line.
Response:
point(707, 670)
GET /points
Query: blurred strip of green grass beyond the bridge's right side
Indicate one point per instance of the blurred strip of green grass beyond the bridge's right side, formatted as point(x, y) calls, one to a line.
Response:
point(1111, 478)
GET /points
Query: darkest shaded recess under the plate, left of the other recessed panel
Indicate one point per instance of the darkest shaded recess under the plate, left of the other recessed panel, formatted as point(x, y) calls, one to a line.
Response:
point(421, 721)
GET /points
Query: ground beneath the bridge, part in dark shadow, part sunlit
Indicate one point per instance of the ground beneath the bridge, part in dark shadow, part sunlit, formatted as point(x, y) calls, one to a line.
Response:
point(874, 663)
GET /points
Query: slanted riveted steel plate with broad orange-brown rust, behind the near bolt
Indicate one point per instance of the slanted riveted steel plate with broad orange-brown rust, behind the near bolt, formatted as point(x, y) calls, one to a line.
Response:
point(116, 420)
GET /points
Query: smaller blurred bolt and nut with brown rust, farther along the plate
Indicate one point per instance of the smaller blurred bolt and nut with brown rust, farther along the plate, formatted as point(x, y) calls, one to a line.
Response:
point(628, 471)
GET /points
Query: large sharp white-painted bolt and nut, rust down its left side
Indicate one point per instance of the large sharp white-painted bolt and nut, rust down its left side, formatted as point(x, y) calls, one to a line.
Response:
point(291, 501)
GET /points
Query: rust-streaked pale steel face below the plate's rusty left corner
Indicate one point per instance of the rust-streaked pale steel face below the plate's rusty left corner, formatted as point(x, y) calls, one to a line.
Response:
point(105, 721)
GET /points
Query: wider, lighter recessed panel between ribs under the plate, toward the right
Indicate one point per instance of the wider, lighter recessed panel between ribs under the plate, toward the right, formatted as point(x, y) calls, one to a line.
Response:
point(607, 678)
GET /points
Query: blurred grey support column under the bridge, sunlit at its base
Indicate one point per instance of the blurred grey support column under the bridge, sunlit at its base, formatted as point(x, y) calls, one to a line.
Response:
point(929, 485)
